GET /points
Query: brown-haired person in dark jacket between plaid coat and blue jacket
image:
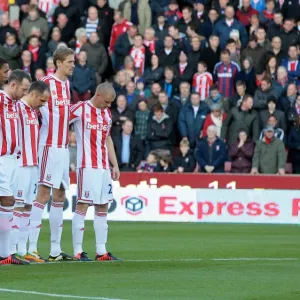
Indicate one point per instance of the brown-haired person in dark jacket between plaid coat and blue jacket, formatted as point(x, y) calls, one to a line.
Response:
point(160, 130)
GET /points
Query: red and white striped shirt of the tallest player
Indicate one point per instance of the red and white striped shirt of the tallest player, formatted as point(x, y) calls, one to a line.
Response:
point(55, 114)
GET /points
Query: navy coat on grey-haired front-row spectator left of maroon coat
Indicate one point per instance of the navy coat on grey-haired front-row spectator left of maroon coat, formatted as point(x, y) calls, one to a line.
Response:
point(214, 156)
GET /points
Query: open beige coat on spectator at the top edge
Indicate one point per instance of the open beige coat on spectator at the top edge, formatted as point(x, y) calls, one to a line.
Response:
point(143, 12)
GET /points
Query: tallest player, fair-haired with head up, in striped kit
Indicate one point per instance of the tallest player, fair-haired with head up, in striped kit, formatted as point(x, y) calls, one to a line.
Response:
point(54, 155)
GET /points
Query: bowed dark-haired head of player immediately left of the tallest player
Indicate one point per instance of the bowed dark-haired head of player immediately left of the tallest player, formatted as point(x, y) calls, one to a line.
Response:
point(38, 94)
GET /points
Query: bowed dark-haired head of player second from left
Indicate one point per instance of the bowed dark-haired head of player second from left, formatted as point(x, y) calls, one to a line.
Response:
point(18, 84)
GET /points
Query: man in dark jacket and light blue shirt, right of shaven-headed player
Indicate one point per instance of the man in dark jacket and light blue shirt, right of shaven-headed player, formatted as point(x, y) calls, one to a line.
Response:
point(129, 147)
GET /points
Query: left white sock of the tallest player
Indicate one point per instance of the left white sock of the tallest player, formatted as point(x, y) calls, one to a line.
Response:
point(35, 225)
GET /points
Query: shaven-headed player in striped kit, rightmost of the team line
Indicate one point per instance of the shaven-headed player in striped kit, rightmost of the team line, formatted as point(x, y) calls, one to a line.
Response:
point(92, 121)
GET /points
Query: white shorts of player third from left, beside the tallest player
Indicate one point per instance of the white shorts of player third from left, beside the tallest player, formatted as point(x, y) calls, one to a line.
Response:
point(27, 178)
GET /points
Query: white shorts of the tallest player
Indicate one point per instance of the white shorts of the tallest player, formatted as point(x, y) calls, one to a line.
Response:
point(54, 167)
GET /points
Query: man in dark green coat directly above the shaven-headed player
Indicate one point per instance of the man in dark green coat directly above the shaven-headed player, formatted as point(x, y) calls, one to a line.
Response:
point(97, 56)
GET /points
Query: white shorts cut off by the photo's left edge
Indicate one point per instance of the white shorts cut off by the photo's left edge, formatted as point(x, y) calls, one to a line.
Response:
point(8, 172)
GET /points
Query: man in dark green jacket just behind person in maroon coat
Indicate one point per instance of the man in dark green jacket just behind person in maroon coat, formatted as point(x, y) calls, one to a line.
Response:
point(243, 117)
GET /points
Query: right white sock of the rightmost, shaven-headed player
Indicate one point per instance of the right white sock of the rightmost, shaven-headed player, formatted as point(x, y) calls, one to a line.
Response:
point(101, 228)
